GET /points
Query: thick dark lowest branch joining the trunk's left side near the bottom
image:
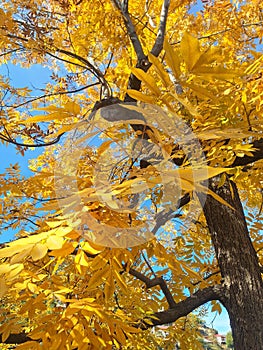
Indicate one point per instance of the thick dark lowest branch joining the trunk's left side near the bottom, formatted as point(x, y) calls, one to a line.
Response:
point(183, 308)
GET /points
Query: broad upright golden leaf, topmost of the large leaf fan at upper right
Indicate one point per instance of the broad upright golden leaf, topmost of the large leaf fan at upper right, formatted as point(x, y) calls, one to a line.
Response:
point(190, 50)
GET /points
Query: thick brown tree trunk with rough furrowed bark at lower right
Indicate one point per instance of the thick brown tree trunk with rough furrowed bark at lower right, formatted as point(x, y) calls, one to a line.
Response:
point(239, 266)
